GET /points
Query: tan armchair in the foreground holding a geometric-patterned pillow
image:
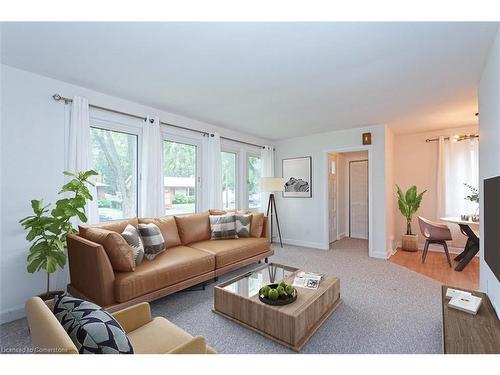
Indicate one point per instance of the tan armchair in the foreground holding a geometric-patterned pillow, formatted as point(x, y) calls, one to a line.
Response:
point(147, 335)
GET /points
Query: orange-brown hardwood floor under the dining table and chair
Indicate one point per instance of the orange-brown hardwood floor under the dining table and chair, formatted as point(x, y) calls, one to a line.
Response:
point(436, 267)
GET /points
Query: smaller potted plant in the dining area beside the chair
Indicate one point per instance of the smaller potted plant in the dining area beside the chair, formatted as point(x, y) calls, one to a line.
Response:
point(409, 203)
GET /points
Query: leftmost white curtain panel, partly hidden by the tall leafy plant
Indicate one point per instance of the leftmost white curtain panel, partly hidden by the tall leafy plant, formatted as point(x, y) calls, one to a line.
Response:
point(79, 151)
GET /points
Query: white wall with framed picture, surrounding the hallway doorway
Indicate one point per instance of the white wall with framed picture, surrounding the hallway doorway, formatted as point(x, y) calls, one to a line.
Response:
point(304, 220)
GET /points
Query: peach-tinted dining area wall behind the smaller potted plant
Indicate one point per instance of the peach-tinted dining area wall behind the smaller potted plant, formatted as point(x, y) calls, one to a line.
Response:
point(415, 163)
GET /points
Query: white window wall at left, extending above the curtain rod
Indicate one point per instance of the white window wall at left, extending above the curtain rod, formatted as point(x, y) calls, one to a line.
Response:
point(32, 155)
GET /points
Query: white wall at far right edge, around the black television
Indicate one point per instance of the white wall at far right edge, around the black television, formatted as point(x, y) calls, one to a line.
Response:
point(489, 154)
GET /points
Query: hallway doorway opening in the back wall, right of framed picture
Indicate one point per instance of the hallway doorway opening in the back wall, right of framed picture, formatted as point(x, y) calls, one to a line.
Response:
point(348, 196)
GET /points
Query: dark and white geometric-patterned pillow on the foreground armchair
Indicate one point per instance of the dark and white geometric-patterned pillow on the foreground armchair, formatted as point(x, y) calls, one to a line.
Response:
point(92, 330)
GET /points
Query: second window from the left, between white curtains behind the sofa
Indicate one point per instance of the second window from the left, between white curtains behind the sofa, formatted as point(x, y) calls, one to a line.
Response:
point(179, 171)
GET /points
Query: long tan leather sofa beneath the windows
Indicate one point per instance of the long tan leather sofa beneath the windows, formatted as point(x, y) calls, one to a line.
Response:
point(191, 258)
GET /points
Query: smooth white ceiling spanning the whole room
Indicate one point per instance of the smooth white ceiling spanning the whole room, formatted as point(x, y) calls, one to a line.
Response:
point(274, 80)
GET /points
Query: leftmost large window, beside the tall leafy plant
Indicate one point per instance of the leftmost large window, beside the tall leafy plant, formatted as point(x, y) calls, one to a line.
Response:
point(114, 156)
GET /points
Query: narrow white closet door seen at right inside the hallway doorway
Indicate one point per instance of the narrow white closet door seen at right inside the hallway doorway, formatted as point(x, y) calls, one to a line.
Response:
point(358, 199)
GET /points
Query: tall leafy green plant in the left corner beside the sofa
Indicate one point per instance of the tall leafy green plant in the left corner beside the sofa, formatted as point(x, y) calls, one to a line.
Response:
point(47, 229)
